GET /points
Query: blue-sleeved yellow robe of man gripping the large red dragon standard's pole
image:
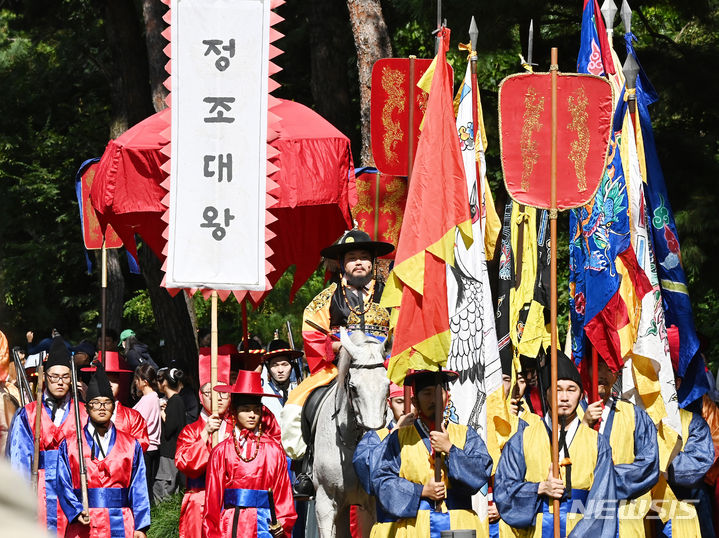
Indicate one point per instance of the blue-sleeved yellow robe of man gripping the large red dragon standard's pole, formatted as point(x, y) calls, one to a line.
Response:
point(520, 504)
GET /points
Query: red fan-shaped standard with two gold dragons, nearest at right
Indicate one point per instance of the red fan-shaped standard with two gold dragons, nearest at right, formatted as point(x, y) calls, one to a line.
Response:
point(584, 115)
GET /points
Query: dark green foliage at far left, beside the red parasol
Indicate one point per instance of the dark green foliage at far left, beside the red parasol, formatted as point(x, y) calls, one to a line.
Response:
point(53, 115)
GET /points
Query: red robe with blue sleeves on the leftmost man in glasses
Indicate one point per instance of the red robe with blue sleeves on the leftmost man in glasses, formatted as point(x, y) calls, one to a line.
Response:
point(20, 450)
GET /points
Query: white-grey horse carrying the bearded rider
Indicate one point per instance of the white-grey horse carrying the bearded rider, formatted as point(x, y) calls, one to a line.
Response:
point(356, 403)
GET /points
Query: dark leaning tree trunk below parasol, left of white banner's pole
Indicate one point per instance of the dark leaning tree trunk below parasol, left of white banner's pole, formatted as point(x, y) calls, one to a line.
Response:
point(171, 316)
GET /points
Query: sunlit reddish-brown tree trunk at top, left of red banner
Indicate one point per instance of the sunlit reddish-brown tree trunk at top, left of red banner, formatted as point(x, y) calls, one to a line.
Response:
point(372, 43)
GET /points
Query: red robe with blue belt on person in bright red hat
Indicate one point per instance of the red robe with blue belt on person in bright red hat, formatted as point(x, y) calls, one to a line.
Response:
point(232, 481)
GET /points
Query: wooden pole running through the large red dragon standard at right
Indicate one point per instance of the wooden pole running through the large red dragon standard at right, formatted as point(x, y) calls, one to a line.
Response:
point(554, 68)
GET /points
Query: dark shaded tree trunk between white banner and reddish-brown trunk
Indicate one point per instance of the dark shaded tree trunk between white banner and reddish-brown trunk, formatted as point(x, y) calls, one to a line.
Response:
point(329, 39)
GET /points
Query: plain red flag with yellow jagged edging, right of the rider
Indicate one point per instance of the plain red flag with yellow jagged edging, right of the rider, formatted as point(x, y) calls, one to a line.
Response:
point(437, 204)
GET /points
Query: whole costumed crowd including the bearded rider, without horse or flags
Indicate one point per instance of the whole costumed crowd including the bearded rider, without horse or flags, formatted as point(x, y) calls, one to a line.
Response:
point(239, 453)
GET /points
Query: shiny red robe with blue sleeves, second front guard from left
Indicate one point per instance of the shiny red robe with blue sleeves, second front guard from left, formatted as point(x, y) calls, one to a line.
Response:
point(117, 488)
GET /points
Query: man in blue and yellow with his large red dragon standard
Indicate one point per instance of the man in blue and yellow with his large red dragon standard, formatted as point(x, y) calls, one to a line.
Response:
point(581, 106)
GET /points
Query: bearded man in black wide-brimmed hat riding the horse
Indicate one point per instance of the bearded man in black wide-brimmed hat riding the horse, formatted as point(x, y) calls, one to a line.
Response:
point(350, 301)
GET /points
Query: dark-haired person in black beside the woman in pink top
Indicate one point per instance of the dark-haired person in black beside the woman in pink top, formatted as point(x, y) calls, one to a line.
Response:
point(167, 480)
